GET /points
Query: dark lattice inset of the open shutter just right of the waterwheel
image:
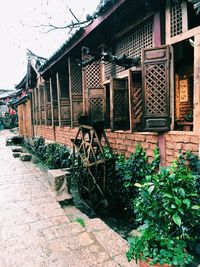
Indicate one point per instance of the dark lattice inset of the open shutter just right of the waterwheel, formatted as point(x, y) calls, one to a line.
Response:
point(119, 104)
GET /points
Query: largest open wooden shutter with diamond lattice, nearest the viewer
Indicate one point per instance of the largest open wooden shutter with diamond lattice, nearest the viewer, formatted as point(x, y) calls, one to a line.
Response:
point(156, 112)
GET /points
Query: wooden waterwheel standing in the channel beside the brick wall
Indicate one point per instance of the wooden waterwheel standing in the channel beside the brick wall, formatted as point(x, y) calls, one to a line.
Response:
point(93, 165)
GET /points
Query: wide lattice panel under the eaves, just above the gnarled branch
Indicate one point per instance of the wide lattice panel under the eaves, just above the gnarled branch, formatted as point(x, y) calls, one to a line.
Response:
point(131, 45)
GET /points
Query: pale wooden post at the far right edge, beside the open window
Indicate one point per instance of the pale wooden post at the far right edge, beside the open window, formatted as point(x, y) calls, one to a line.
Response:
point(196, 127)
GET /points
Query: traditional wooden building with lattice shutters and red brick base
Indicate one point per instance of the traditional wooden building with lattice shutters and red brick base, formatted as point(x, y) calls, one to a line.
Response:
point(136, 67)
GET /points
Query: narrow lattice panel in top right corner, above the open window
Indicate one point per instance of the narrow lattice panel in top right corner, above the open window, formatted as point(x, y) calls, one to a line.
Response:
point(175, 18)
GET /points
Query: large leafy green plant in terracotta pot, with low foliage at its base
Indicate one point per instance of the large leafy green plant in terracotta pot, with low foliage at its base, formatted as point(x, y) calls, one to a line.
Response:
point(168, 209)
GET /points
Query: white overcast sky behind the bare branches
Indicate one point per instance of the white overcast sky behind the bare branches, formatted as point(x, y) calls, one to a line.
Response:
point(17, 33)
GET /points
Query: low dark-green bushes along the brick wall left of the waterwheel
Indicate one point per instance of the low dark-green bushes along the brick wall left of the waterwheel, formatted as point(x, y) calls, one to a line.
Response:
point(54, 155)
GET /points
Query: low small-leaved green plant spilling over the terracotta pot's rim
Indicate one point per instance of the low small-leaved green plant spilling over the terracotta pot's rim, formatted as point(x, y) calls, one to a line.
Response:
point(159, 249)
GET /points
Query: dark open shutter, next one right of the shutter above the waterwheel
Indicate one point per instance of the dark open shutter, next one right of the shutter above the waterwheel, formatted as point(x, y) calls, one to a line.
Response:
point(119, 111)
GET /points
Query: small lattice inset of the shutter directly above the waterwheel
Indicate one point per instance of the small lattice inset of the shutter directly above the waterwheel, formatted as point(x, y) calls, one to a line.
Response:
point(96, 109)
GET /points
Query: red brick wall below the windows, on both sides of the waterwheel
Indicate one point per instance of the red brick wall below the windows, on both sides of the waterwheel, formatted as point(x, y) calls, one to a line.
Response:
point(125, 142)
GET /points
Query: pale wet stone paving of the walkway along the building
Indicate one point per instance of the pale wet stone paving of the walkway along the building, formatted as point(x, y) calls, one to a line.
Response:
point(36, 232)
